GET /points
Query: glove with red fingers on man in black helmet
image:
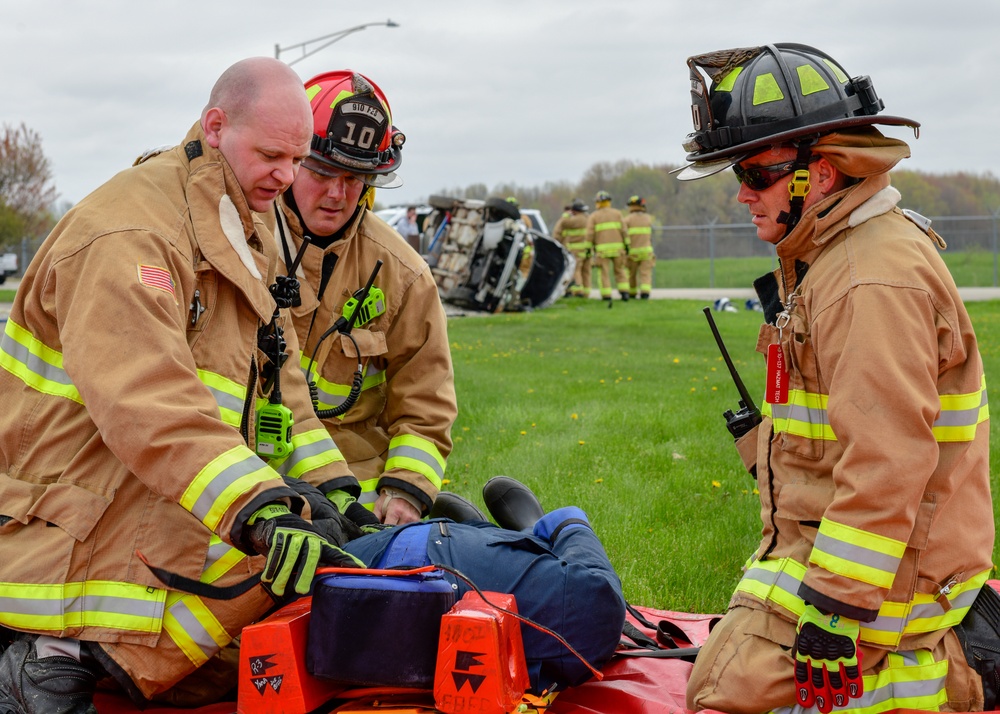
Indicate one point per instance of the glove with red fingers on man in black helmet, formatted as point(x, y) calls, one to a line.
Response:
point(827, 660)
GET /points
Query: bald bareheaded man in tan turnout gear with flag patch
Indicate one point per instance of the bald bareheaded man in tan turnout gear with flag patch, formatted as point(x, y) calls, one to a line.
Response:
point(127, 434)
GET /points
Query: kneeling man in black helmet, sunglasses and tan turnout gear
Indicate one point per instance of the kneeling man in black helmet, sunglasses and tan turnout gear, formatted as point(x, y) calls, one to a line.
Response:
point(872, 458)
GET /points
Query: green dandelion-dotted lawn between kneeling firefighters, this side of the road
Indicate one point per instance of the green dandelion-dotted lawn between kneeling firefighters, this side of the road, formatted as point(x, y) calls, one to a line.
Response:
point(619, 411)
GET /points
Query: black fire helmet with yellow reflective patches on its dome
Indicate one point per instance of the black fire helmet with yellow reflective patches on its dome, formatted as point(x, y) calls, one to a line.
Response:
point(770, 95)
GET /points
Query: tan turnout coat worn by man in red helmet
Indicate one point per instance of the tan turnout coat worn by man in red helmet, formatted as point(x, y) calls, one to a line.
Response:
point(398, 434)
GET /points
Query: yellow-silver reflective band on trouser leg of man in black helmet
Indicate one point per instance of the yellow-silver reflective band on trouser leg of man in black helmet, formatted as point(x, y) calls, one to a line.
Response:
point(909, 680)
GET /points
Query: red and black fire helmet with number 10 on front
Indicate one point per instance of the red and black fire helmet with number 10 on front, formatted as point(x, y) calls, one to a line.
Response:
point(353, 128)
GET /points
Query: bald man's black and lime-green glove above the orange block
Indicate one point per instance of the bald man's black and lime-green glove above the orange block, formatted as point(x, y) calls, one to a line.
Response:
point(294, 549)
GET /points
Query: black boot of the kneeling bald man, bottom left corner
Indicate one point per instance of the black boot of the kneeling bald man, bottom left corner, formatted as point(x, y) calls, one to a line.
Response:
point(46, 685)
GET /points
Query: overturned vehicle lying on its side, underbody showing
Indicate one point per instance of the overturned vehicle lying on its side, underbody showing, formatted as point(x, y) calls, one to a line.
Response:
point(485, 256)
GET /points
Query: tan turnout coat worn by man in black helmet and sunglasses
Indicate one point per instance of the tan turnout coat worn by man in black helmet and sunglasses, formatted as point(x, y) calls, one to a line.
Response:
point(874, 473)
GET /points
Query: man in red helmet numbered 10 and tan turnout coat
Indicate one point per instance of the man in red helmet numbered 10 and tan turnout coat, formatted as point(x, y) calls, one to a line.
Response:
point(397, 436)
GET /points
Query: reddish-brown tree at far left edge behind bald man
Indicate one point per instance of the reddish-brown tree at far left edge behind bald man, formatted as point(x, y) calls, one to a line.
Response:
point(26, 187)
